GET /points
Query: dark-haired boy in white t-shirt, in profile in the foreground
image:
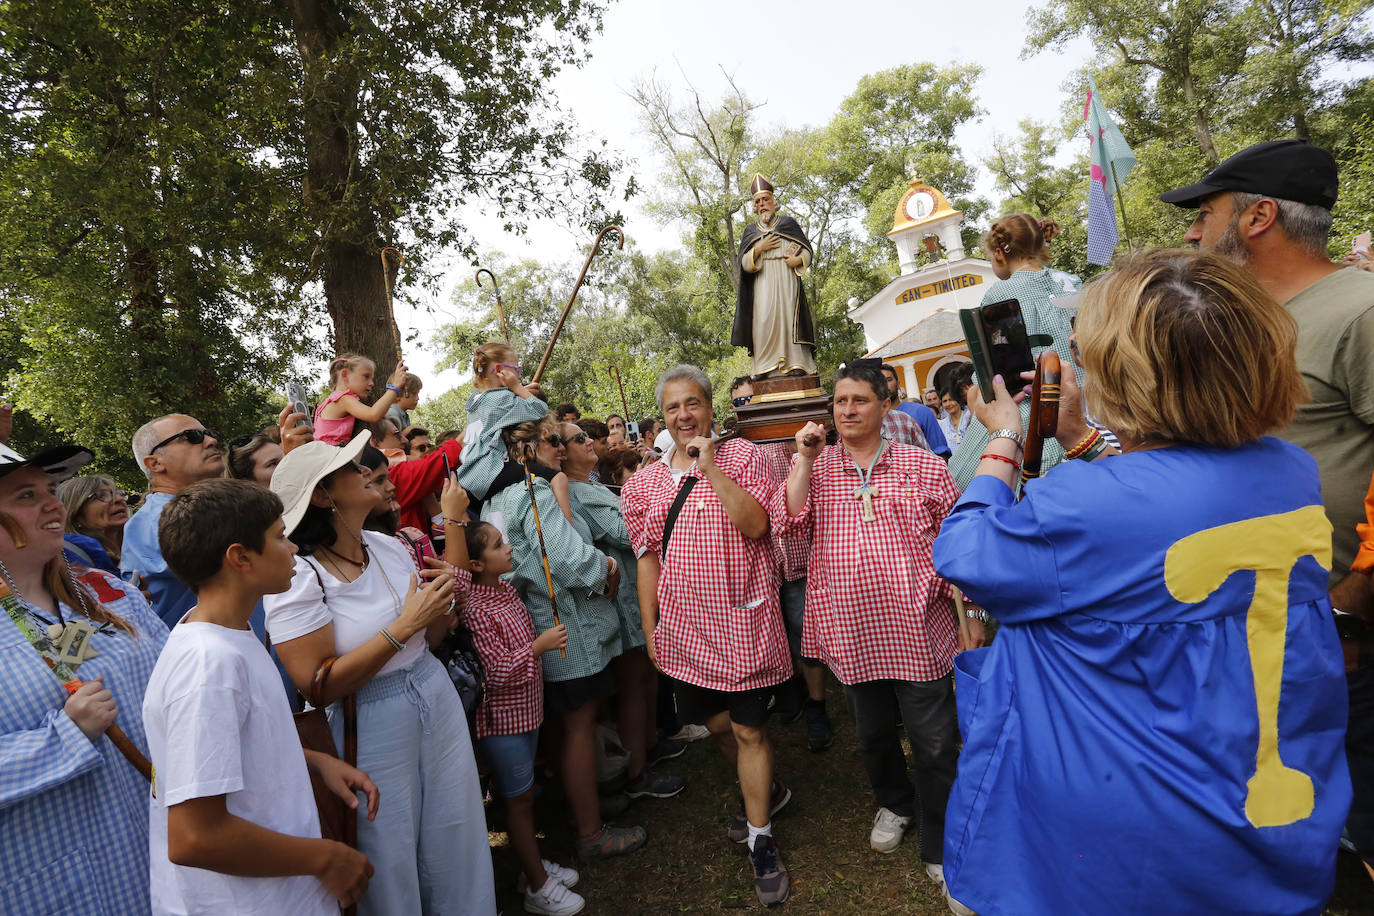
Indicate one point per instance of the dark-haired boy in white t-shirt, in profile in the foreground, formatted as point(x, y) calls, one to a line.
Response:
point(234, 825)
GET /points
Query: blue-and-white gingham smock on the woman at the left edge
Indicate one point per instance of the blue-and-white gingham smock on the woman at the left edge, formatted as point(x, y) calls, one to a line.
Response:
point(74, 812)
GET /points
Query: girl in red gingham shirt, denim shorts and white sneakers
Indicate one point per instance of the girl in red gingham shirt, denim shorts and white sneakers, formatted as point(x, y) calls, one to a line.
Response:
point(512, 711)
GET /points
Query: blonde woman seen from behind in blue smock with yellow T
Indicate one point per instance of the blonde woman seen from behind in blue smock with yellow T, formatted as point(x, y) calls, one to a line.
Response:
point(1163, 712)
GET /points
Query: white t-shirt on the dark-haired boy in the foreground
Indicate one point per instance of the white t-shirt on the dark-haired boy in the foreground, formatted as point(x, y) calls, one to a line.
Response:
point(219, 724)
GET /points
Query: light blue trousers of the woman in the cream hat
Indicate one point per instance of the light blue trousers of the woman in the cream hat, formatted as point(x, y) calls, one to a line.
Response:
point(429, 840)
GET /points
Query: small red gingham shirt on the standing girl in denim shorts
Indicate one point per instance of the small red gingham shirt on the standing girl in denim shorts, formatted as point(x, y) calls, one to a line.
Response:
point(513, 701)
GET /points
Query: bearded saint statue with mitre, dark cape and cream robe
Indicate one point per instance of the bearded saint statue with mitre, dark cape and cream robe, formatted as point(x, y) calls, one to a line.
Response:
point(772, 314)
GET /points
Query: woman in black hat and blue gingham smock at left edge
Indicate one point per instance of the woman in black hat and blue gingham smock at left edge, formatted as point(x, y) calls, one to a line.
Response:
point(75, 829)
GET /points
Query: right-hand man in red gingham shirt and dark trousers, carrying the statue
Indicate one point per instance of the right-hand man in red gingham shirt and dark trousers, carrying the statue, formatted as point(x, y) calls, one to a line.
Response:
point(877, 613)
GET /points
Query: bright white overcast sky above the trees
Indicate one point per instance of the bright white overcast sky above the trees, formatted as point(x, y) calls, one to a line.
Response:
point(800, 62)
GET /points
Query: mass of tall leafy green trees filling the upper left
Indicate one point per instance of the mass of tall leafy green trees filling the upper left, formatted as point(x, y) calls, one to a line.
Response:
point(185, 186)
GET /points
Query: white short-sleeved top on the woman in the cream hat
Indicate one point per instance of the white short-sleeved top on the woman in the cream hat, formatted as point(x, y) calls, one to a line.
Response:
point(357, 609)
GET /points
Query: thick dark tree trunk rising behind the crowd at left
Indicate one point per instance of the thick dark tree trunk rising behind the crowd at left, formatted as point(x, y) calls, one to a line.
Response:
point(355, 290)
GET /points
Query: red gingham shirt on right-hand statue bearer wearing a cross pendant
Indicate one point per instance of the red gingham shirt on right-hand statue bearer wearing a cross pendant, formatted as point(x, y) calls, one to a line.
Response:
point(876, 608)
